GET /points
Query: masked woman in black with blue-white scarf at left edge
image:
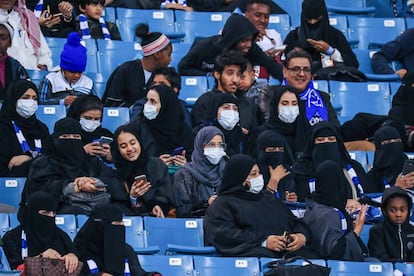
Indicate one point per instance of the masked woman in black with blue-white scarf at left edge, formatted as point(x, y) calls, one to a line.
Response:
point(25, 136)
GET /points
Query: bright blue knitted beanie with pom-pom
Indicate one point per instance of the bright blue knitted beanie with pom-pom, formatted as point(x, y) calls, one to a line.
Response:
point(73, 56)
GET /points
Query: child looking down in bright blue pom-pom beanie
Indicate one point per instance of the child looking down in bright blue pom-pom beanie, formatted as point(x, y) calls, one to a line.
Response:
point(65, 85)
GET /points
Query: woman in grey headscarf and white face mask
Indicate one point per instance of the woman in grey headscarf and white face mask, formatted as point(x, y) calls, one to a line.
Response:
point(197, 183)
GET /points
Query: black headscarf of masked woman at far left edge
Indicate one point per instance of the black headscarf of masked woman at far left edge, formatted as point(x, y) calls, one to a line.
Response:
point(31, 127)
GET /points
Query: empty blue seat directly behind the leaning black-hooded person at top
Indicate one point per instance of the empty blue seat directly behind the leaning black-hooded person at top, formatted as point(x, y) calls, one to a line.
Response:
point(199, 24)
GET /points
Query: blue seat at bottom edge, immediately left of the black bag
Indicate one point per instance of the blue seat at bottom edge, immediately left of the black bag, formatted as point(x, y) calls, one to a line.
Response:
point(229, 266)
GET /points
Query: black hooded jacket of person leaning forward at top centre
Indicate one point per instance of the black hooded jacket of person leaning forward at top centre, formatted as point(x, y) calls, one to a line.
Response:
point(200, 59)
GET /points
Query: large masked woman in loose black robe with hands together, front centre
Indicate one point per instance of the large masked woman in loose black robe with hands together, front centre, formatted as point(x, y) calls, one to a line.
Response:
point(246, 220)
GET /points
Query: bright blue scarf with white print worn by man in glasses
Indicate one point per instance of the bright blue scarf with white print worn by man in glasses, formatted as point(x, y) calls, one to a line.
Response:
point(316, 110)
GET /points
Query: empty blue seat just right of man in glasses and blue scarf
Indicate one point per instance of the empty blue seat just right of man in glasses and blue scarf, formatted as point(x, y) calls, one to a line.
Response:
point(354, 96)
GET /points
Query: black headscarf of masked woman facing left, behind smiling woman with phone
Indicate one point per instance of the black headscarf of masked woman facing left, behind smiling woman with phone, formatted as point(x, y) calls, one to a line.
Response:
point(169, 128)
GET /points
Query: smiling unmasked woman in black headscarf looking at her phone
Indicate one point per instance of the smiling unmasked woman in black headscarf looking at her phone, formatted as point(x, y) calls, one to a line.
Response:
point(146, 178)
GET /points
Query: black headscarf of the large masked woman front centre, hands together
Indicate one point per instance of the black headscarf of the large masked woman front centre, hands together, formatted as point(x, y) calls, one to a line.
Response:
point(235, 173)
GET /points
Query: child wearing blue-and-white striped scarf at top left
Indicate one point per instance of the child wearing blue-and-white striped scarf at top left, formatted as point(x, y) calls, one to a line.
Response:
point(91, 21)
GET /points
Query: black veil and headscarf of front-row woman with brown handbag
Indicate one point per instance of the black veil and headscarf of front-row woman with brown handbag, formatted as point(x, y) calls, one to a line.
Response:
point(41, 231)
